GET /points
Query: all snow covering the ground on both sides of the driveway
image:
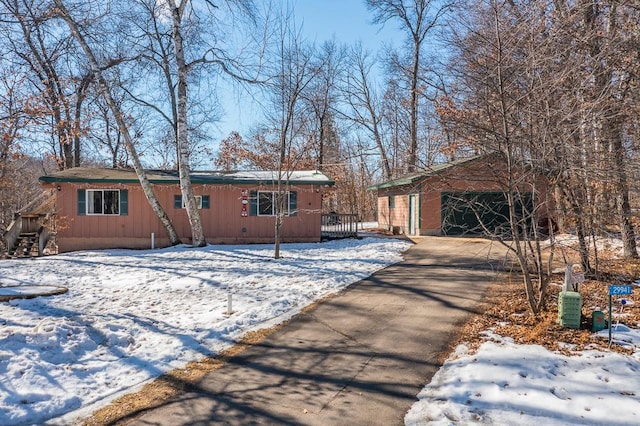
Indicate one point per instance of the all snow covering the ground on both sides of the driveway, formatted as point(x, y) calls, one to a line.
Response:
point(130, 316)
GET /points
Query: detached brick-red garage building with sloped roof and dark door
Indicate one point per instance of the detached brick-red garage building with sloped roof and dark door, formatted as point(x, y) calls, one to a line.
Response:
point(463, 197)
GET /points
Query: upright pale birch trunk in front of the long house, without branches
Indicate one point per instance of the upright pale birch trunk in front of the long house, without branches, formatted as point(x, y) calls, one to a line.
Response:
point(182, 139)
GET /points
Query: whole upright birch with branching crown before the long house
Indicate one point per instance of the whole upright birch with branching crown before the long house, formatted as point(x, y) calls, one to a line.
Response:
point(184, 56)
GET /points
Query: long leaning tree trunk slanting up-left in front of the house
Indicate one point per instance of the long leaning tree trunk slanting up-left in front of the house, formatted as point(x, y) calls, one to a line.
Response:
point(115, 110)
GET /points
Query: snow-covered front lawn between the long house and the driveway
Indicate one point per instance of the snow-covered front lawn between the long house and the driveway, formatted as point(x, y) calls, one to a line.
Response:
point(130, 316)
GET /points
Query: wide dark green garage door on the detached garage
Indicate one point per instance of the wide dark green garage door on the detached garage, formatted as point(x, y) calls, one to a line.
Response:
point(469, 213)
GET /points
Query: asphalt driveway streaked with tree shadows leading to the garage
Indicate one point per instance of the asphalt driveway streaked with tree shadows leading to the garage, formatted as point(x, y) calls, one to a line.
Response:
point(360, 358)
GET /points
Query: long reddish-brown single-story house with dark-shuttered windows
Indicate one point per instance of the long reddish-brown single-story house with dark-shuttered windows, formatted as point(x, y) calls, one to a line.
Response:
point(106, 208)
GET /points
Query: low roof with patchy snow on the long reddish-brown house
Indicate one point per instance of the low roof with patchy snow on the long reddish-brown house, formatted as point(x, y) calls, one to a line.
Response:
point(93, 175)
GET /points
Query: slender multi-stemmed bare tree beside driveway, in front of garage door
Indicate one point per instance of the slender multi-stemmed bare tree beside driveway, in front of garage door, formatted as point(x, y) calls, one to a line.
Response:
point(504, 112)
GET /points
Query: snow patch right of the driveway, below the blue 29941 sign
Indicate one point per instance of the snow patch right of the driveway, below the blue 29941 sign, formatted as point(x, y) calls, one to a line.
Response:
point(508, 384)
